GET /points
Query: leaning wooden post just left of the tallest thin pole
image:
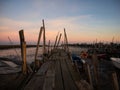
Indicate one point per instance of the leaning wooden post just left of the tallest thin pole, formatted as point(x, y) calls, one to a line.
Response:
point(37, 63)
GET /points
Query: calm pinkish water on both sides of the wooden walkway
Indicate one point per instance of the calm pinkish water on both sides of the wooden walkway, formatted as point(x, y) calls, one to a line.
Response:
point(30, 53)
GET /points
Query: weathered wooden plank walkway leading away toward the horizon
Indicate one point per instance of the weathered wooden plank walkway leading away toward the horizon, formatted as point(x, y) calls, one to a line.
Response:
point(55, 74)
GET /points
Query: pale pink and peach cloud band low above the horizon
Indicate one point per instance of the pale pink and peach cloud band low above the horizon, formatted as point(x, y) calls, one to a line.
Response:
point(77, 27)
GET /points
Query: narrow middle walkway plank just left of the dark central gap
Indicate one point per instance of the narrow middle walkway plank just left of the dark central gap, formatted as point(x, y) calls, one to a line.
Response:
point(58, 77)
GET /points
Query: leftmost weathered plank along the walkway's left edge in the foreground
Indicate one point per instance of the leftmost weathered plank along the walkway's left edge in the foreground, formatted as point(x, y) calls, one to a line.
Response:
point(37, 82)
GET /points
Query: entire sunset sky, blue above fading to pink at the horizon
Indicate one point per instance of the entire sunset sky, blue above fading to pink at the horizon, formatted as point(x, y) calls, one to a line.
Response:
point(84, 20)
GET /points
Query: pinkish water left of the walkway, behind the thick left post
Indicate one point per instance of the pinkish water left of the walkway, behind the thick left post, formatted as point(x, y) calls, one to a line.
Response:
point(11, 54)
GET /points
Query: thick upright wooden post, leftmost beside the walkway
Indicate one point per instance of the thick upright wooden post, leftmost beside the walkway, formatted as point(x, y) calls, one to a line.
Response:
point(23, 51)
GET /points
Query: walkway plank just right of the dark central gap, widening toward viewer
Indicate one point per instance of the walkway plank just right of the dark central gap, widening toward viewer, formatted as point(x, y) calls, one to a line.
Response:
point(69, 83)
